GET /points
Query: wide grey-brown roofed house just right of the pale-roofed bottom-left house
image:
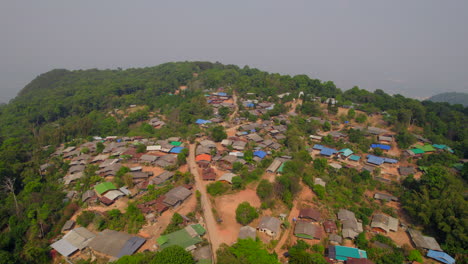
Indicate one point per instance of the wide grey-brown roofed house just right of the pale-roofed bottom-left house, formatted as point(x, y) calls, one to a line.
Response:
point(116, 244)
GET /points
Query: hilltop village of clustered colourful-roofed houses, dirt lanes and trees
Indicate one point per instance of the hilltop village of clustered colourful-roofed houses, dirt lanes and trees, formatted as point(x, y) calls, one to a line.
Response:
point(337, 197)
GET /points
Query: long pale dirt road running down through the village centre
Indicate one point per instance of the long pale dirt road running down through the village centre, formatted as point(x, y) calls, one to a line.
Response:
point(210, 223)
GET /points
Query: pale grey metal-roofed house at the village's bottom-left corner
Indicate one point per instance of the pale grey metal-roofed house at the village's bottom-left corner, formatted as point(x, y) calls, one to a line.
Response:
point(76, 239)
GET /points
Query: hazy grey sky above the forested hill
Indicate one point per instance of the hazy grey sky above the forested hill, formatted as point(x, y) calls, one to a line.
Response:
point(413, 47)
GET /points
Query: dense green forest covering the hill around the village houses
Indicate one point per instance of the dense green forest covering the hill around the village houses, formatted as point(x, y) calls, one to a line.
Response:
point(61, 106)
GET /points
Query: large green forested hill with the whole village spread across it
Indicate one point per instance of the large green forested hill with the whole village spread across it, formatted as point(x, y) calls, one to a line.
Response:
point(188, 153)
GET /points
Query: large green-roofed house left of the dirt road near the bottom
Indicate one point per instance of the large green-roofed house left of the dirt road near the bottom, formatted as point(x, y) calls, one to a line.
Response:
point(185, 238)
